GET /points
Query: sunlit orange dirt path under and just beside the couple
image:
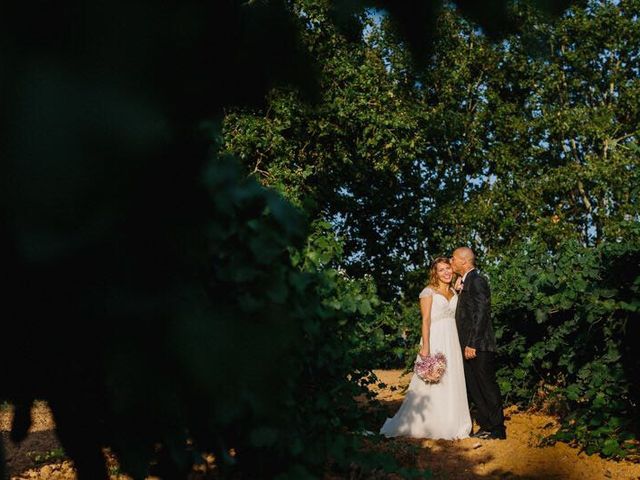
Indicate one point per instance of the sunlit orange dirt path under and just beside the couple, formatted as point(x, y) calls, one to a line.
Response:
point(517, 457)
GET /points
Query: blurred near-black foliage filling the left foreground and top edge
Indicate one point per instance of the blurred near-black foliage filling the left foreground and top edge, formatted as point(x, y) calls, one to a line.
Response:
point(154, 306)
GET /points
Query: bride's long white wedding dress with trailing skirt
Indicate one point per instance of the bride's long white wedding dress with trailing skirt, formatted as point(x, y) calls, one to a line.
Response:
point(437, 410)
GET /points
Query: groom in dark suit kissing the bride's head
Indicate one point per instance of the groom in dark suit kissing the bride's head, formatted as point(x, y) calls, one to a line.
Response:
point(478, 345)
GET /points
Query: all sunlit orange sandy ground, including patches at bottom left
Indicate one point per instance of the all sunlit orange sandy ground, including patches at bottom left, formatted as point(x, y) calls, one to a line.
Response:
point(519, 457)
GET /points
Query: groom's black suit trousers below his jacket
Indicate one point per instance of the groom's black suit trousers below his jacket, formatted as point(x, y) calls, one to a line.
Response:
point(480, 375)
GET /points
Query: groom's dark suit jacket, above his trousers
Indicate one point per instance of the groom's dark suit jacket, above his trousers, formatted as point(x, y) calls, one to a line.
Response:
point(473, 314)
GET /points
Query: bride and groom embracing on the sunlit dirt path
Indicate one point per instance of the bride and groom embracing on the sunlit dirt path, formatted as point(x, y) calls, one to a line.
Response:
point(455, 321)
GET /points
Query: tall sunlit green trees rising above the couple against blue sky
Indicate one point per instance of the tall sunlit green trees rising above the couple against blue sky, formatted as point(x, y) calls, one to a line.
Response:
point(484, 145)
